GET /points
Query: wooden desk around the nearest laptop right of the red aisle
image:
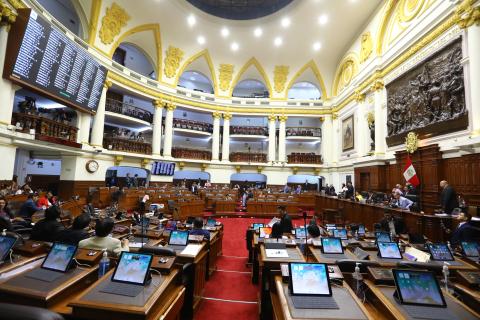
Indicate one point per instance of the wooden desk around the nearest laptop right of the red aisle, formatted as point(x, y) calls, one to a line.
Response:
point(283, 310)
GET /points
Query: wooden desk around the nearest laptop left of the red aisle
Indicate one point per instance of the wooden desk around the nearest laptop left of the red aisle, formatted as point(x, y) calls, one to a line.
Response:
point(162, 302)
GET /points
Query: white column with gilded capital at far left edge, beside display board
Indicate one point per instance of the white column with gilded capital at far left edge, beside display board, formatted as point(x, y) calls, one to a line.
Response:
point(7, 88)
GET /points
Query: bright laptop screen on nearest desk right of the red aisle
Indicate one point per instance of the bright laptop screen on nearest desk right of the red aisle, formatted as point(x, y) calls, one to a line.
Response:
point(309, 279)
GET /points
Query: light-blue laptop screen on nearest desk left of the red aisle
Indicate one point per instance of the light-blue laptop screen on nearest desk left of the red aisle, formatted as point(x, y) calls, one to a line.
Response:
point(132, 268)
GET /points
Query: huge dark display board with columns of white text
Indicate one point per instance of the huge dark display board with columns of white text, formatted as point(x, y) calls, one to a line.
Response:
point(46, 60)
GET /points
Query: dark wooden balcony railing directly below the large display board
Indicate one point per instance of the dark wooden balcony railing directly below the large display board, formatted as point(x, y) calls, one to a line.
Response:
point(46, 129)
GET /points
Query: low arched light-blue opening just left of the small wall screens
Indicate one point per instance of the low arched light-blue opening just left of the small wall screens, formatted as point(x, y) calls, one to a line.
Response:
point(124, 176)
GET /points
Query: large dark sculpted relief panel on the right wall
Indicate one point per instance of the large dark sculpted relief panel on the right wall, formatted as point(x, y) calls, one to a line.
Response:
point(429, 99)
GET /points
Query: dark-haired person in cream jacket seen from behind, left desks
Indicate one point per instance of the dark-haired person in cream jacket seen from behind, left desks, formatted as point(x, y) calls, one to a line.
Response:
point(102, 240)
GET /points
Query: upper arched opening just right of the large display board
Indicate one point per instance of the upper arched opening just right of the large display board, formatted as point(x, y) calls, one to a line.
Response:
point(134, 58)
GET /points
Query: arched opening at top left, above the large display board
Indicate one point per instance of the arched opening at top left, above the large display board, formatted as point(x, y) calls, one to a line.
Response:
point(65, 12)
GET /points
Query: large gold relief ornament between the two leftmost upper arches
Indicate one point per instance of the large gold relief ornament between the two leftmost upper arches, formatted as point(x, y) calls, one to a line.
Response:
point(113, 21)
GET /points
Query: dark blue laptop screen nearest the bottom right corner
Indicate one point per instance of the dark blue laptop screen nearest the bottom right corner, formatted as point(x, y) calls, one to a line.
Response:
point(418, 287)
